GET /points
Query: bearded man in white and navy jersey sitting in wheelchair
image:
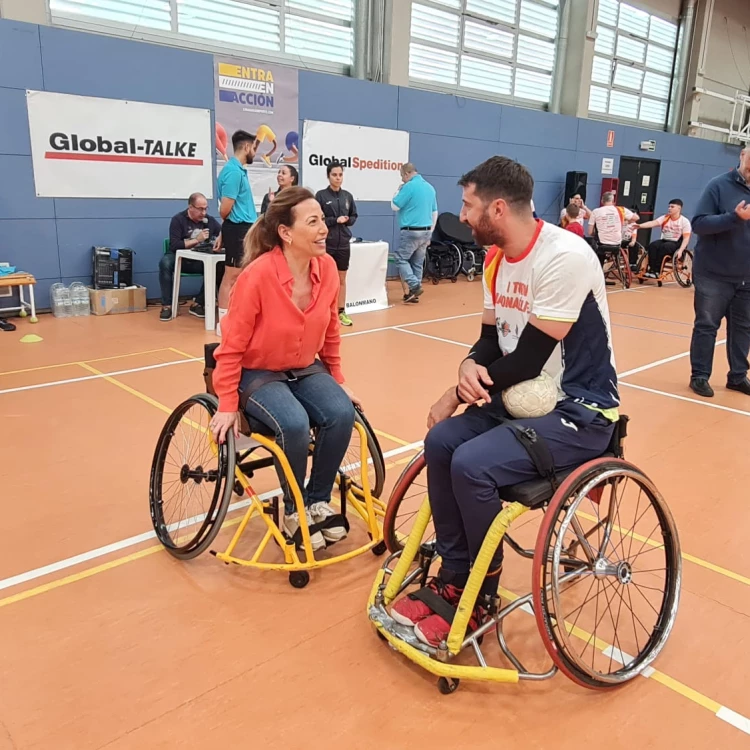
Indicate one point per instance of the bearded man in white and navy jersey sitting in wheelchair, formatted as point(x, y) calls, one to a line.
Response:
point(545, 308)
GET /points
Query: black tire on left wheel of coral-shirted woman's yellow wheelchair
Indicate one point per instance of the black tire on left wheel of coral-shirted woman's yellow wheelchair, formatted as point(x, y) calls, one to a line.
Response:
point(208, 527)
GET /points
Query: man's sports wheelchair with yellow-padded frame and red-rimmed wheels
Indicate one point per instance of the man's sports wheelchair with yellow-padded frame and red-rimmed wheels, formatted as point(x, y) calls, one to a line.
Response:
point(605, 578)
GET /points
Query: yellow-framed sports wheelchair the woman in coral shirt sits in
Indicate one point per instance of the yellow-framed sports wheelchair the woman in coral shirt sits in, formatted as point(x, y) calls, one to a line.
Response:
point(193, 481)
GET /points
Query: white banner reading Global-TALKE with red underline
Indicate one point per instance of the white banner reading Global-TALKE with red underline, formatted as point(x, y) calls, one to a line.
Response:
point(88, 147)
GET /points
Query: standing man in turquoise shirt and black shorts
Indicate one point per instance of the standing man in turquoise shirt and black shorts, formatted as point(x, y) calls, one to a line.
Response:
point(237, 209)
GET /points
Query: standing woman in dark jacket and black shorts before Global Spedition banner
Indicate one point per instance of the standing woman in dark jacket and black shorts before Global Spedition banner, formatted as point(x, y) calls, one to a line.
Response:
point(340, 213)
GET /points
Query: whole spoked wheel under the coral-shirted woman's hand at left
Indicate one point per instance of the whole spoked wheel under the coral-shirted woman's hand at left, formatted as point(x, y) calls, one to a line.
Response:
point(191, 479)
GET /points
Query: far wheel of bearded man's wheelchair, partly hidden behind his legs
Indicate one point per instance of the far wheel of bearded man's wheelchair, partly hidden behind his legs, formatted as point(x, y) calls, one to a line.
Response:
point(404, 504)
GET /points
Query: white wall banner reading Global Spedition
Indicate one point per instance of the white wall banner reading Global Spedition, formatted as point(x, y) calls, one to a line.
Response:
point(371, 157)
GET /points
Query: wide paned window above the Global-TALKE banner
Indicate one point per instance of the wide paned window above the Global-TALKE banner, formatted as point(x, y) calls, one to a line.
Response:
point(314, 33)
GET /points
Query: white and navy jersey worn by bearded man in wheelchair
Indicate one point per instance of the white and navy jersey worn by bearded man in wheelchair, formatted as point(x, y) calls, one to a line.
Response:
point(558, 278)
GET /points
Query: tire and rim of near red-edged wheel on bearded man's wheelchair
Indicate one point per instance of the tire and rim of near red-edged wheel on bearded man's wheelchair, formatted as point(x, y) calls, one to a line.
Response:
point(546, 587)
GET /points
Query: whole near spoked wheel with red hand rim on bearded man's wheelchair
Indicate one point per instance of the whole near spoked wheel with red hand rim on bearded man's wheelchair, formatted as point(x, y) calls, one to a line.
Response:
point(606, 574)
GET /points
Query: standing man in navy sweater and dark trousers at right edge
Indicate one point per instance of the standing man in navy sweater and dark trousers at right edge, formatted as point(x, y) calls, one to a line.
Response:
point(721, 272)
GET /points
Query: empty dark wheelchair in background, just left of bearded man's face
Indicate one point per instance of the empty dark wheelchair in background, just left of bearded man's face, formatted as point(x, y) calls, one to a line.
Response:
point(452, 251)
